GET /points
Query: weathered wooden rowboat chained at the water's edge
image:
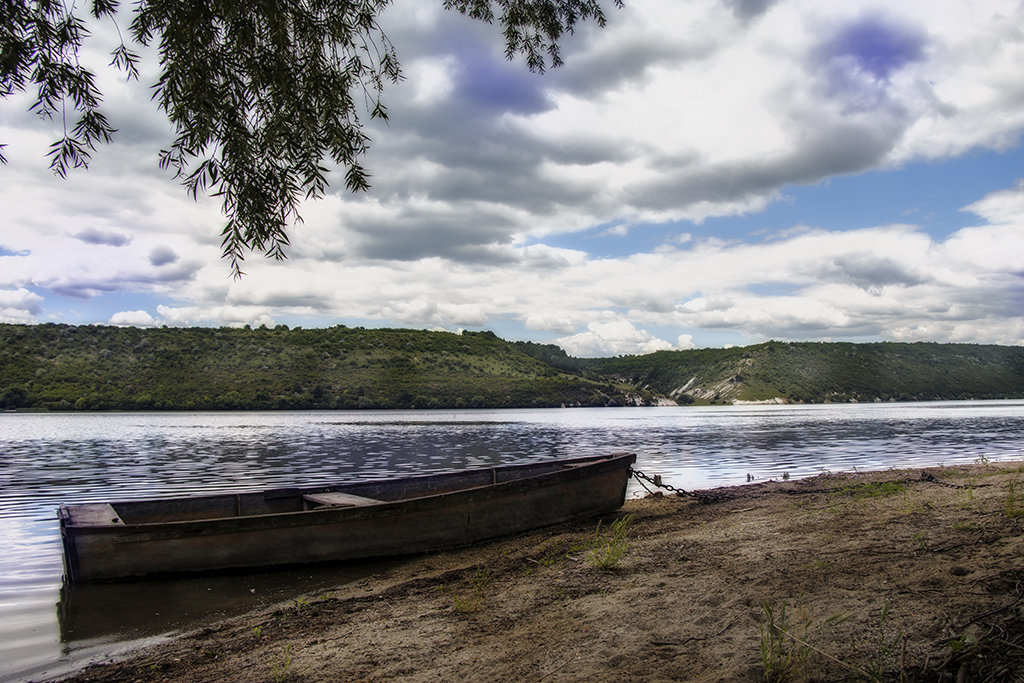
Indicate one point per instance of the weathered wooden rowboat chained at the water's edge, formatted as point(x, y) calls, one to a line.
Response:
point(202, 534)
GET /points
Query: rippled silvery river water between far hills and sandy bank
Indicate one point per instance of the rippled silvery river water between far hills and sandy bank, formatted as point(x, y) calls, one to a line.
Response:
point(50, 459)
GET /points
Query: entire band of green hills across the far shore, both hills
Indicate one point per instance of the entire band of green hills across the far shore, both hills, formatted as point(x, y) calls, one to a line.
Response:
point(60, 367)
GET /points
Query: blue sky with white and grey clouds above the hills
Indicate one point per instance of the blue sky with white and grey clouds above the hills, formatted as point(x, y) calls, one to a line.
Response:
point(698, 175)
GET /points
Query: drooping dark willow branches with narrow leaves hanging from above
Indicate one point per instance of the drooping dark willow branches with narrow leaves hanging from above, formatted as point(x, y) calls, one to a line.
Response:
point(263, 95)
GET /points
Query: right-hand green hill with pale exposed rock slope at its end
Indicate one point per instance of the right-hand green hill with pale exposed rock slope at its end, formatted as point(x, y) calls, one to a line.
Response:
point(827, 372)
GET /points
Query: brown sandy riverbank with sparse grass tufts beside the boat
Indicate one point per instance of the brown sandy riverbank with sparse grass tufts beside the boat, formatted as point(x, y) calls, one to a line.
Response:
point(914, 574)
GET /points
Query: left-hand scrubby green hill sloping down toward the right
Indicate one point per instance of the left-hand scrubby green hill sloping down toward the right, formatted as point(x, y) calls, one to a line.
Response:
point(60, 367)
